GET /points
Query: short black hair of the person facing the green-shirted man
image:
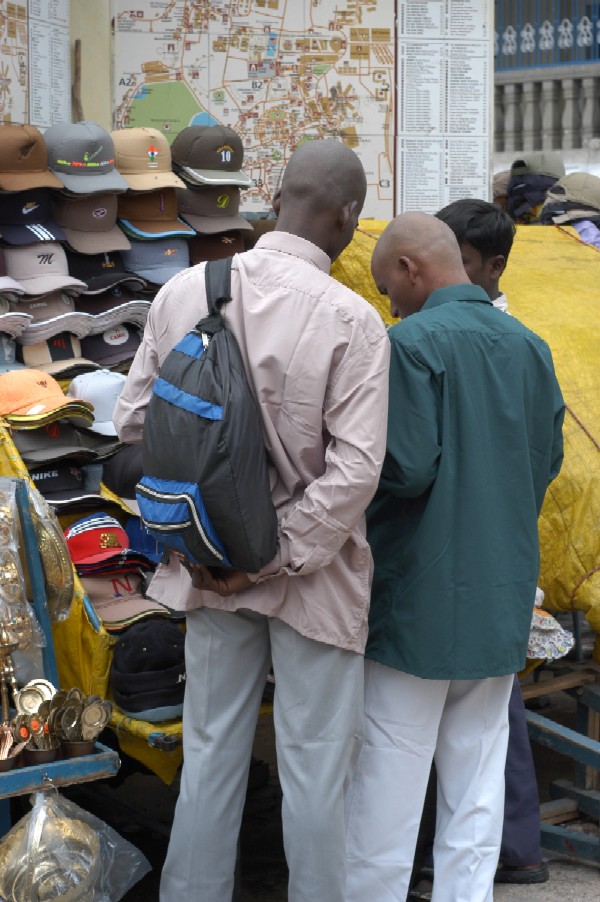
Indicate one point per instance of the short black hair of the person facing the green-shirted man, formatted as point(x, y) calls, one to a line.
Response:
point(485, 226)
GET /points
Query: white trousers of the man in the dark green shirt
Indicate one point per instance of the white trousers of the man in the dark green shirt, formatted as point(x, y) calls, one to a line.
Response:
point(464, 724)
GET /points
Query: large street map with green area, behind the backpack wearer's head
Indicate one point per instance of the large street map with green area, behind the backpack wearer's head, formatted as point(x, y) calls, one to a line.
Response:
point(277, 72)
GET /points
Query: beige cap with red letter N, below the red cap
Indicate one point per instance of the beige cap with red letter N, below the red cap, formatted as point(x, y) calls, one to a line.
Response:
point(118, 600)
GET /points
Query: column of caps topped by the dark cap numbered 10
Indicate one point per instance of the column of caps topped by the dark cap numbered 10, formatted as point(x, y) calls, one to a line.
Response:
point(209, 159)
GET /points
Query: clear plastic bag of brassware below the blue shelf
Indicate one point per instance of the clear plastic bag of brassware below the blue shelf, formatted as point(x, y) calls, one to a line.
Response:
point(59, 851)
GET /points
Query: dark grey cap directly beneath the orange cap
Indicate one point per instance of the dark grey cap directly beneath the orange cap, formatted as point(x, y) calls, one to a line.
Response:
point(60, 440)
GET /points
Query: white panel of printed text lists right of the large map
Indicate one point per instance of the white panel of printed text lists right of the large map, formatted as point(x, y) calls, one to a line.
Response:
point(445, 79)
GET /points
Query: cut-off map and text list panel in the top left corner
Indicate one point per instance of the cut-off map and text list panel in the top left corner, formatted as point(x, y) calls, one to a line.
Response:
point(35, 69)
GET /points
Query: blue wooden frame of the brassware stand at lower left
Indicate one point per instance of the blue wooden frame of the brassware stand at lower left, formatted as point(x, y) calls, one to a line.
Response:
point(103, 762)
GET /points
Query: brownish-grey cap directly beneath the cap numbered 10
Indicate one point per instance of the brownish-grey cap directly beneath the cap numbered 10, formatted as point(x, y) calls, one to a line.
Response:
point(212, 209)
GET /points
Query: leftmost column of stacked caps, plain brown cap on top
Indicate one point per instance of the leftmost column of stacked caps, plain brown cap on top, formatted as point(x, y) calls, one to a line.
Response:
point(33, 257)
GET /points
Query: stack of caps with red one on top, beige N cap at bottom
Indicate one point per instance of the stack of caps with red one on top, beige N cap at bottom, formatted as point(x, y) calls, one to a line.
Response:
point(111, 571)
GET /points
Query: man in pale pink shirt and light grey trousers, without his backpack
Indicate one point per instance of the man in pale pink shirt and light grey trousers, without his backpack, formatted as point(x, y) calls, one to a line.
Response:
point(316, 356)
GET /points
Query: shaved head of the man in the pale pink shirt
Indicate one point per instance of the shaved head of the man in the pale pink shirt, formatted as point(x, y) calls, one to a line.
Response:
point(322, 194)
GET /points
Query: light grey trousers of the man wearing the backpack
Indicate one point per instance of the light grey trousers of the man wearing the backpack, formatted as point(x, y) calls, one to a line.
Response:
point(318, 718)
